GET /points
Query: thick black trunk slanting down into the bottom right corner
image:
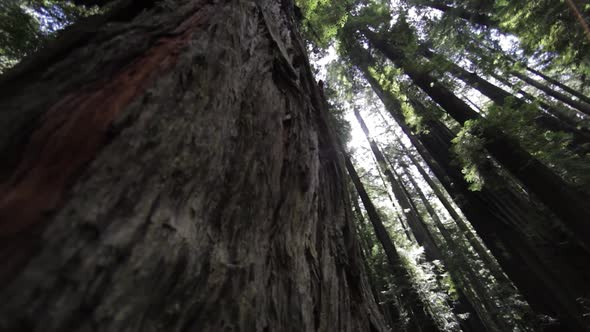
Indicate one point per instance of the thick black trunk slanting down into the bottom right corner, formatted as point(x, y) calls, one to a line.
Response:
point(500, 218)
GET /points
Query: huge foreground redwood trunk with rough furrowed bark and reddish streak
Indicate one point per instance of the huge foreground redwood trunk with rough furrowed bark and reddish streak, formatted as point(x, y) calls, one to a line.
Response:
point(177, 174)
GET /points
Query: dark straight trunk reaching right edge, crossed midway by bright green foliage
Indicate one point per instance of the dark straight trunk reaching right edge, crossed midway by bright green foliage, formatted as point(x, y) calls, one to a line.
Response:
point(552, 190)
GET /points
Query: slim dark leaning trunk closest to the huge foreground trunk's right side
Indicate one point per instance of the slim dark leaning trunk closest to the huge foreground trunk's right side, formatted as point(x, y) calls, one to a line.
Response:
point(420, 317)
